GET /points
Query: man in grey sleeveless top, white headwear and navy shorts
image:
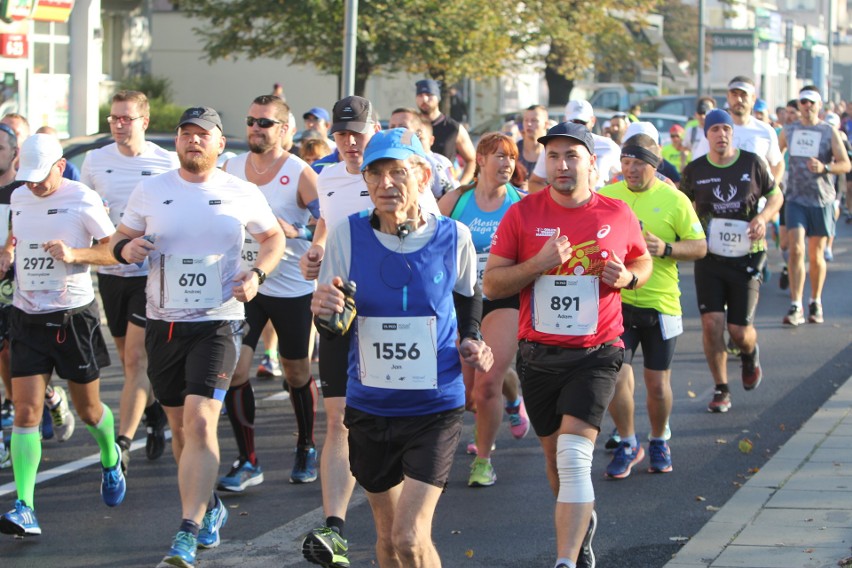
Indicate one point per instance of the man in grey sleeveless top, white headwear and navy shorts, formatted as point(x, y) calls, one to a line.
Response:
point(816, 154)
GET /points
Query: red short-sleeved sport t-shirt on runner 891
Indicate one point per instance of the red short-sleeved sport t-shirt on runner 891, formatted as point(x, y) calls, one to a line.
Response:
point(570, 306)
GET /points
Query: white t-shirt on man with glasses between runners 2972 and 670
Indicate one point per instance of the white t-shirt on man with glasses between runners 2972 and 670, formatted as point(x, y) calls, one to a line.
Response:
point(114, 176)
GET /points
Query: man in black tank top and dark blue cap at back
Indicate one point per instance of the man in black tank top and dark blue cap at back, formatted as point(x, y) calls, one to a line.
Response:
point(451, 138)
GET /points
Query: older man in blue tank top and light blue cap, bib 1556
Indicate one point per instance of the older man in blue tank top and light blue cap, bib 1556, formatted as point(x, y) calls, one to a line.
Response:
point(405, 395)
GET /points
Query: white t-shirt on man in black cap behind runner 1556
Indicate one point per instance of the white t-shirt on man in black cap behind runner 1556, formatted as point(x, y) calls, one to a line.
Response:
point(341, 194)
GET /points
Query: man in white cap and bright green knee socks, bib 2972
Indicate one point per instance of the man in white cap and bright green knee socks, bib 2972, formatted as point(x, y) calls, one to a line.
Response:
point(55, 323)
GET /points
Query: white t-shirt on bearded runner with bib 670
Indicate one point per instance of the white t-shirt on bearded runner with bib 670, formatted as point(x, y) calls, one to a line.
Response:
point(198, 228)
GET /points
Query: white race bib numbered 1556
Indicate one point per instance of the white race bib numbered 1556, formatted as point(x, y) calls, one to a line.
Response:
point(398, 352)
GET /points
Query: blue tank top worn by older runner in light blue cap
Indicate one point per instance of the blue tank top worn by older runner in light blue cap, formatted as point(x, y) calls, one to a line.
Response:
point(394, 285)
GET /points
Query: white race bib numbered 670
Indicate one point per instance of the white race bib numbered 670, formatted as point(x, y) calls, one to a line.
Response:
point(190, 282)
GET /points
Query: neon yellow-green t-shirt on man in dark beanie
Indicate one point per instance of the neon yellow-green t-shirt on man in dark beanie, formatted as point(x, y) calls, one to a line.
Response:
point(668, 214)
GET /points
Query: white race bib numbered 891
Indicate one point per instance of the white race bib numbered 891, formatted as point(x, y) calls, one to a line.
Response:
point(566, 305)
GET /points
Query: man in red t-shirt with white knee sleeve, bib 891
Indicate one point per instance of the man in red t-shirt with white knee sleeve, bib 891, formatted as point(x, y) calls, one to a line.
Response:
point(569, 252)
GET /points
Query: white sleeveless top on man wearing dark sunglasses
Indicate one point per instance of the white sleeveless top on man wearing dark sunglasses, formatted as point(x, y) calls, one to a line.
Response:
point(282, 194)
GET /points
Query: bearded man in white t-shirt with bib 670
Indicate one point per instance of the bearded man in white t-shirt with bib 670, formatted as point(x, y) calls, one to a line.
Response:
point(190, 224)
